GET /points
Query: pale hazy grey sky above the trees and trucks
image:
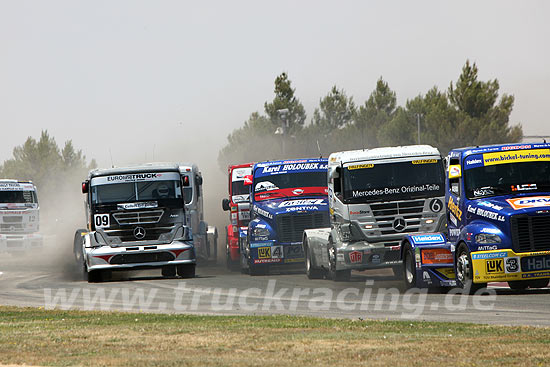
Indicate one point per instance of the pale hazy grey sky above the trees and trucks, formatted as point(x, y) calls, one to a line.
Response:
point(142, 76)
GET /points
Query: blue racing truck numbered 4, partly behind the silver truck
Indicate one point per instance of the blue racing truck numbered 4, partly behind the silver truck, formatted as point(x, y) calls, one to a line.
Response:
point(286, 198)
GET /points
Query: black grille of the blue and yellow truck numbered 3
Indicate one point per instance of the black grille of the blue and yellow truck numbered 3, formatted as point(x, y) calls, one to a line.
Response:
point(530, 233)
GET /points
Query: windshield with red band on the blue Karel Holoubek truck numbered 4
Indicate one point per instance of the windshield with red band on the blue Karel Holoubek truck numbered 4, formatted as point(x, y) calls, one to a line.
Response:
point(290, 184)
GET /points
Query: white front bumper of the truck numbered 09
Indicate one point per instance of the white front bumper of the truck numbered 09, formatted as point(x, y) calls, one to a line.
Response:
point(142, 256)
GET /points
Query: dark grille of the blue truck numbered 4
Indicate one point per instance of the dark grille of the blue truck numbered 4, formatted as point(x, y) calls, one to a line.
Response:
point(290, 227)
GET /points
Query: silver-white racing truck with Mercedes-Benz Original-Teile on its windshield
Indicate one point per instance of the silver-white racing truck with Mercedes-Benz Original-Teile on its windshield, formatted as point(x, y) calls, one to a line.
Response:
point(376, 197)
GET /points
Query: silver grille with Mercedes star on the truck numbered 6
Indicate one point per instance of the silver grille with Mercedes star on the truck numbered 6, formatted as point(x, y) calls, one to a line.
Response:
point(410, 210)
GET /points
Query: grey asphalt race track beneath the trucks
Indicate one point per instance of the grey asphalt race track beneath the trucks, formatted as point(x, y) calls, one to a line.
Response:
point(215, 290)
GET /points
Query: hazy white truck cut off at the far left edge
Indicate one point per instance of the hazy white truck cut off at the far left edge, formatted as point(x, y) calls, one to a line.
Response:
point(19, 217)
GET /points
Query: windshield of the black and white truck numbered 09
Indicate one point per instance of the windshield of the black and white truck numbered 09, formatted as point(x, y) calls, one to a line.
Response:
point(126, 192)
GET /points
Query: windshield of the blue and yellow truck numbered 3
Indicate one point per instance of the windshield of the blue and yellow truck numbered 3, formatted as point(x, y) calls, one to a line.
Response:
point(508, 178)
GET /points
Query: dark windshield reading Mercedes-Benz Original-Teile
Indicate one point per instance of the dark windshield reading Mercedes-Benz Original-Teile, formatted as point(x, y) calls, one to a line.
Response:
point(368, 182)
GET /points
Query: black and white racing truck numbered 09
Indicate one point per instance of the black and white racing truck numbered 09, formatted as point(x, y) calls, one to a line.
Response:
point(137, 218)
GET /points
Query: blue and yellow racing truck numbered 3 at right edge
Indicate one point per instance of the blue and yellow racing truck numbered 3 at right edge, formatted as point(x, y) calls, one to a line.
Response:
point(498, 213)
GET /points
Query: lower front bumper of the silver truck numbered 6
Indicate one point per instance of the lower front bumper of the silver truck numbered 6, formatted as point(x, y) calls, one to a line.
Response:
point(363, 255)
